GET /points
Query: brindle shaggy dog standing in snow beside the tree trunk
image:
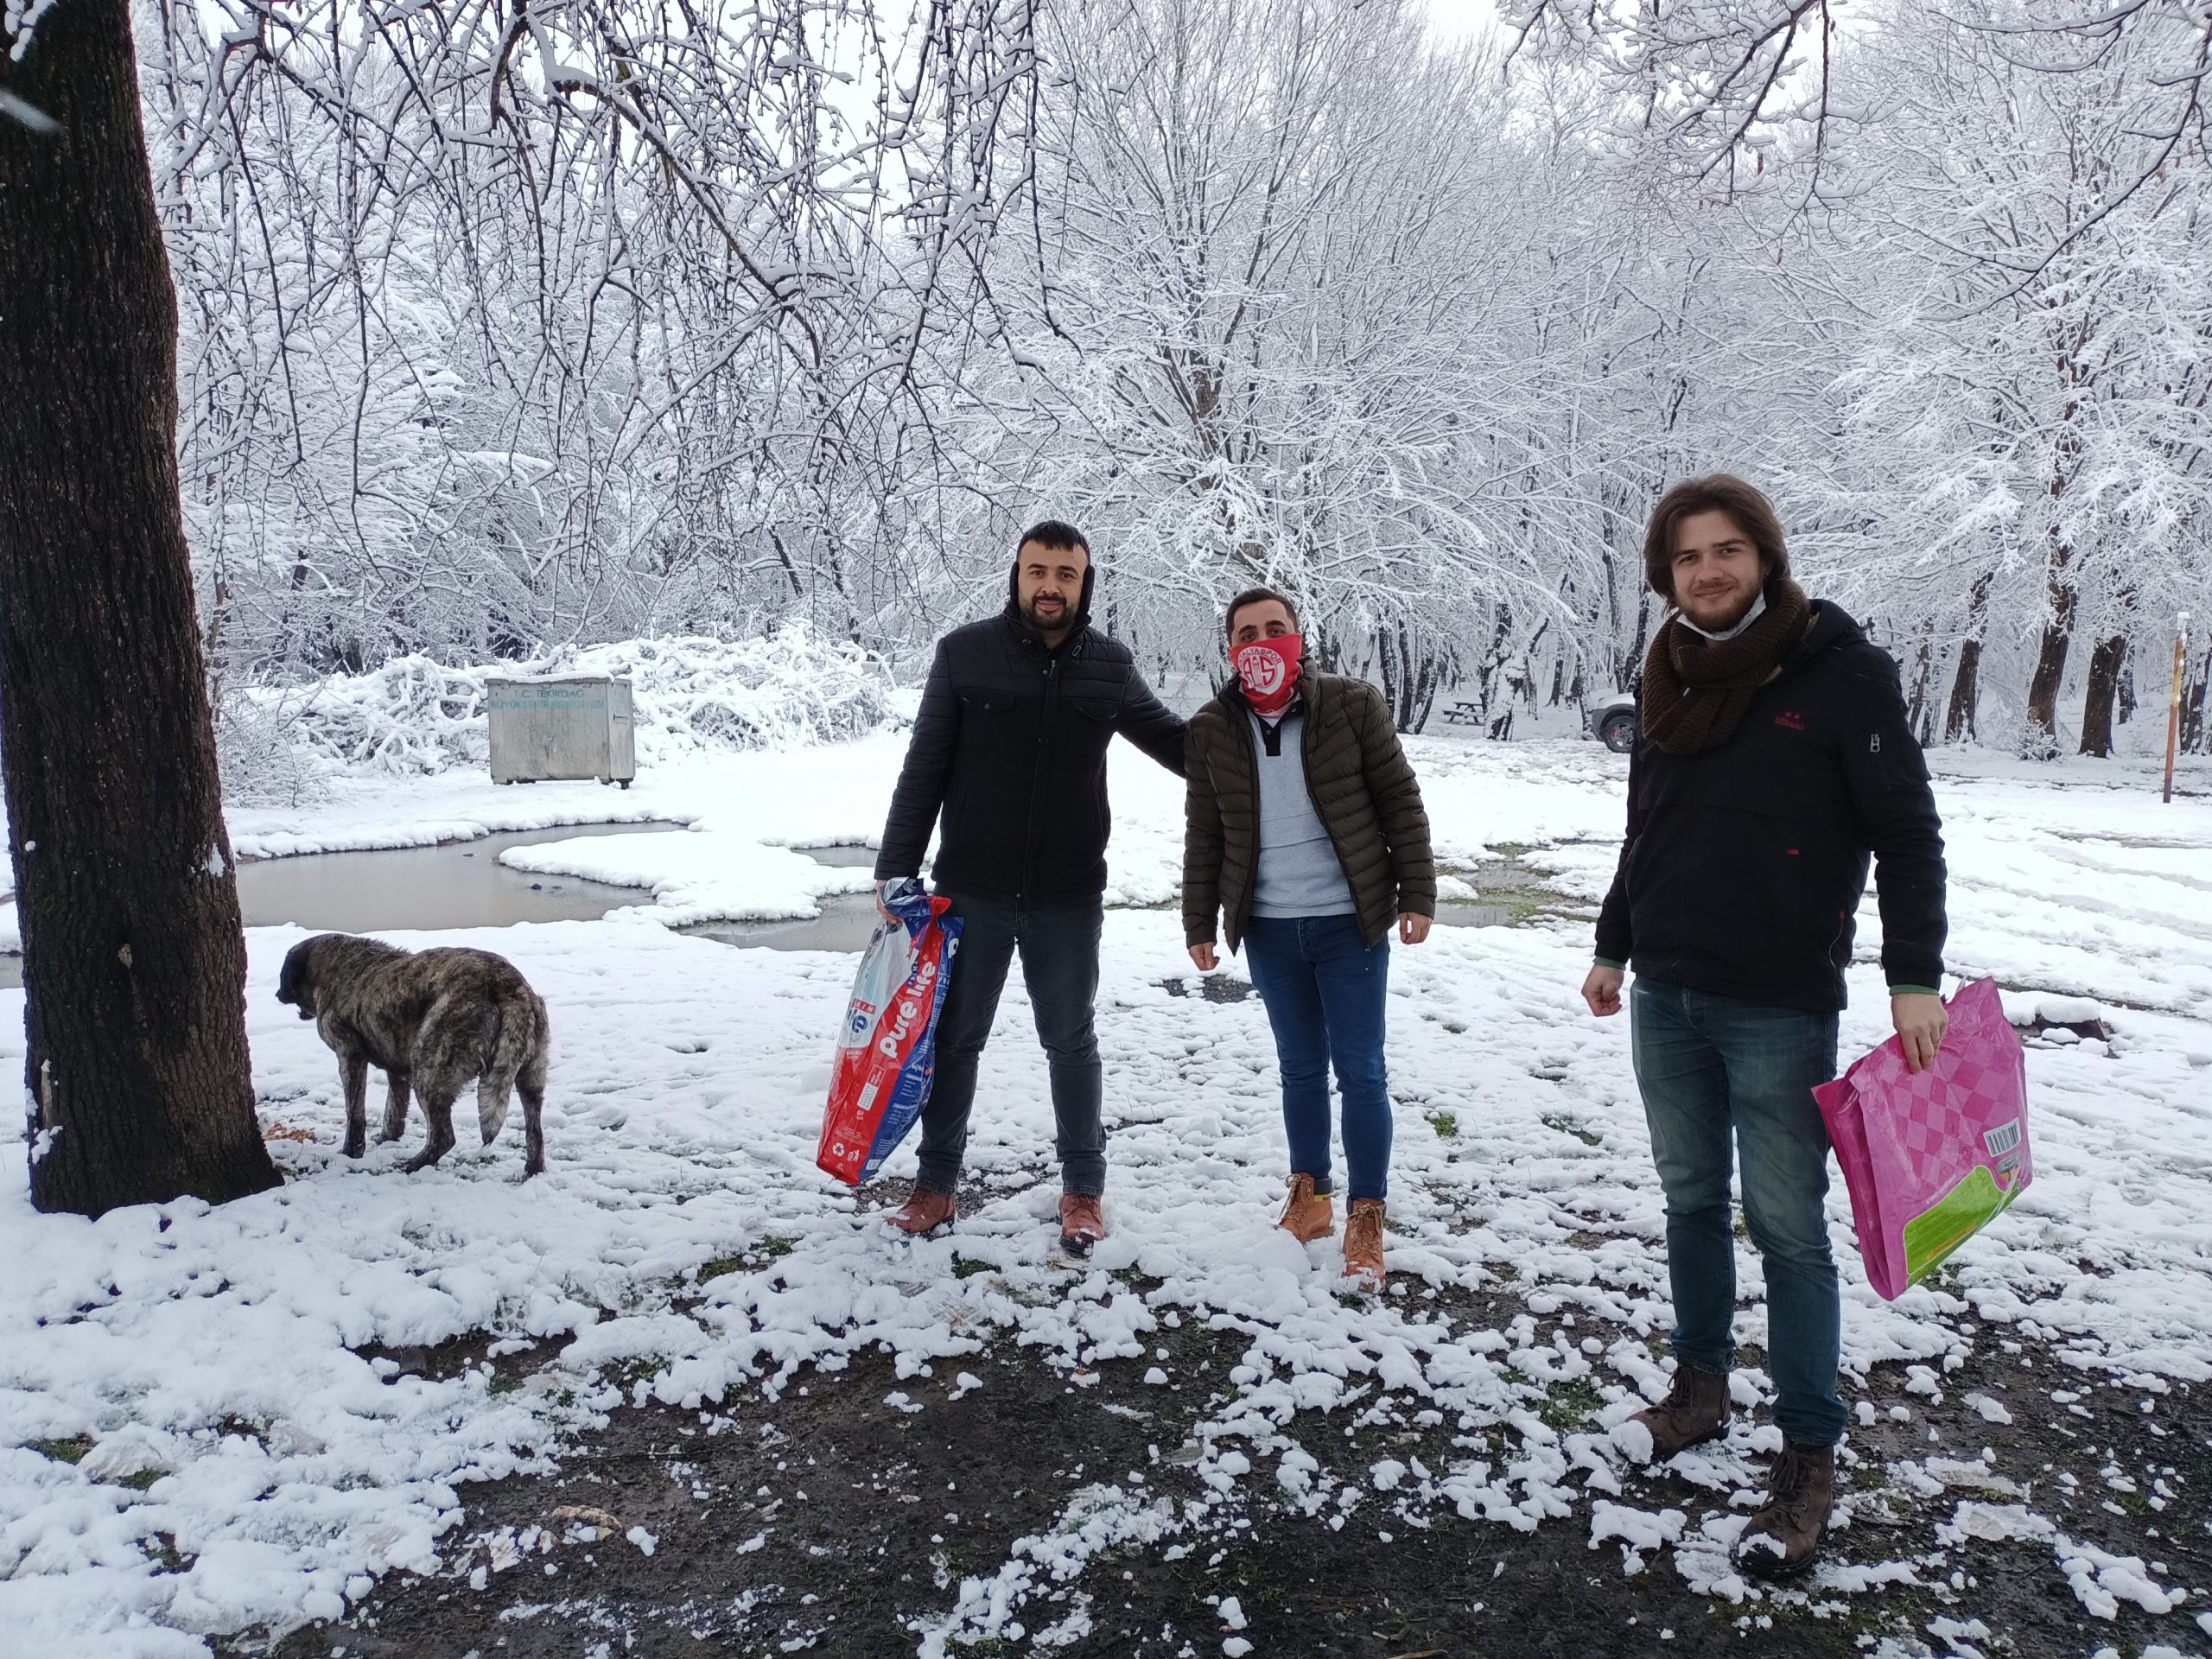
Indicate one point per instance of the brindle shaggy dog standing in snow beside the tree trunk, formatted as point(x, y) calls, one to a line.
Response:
point(430, 1021)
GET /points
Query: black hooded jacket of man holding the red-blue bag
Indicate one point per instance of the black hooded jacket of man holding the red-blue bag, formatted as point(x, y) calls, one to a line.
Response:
point(1012, 751)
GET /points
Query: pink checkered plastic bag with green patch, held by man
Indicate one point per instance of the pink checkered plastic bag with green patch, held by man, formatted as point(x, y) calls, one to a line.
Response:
point(1932, 1158)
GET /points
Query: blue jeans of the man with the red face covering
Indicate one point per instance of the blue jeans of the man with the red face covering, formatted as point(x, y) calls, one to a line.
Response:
point(1326, 997)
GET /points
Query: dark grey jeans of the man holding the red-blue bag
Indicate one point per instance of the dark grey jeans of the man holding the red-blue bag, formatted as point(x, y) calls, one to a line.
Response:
point(1061, 966)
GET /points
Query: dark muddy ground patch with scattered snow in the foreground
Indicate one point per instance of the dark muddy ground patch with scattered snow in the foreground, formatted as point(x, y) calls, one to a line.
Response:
point(842, 1519)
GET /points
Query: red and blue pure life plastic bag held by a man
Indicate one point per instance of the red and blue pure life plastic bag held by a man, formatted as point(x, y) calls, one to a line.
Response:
point(888, 1050)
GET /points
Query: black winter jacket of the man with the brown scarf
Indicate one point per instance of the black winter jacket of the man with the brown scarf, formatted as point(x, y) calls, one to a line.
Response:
point(1744, 866)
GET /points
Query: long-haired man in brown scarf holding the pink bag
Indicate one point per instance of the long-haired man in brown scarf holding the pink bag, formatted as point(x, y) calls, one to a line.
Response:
point(1773, 762)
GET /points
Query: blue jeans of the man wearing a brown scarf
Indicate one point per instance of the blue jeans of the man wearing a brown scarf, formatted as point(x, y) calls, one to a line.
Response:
point(1711, 1065)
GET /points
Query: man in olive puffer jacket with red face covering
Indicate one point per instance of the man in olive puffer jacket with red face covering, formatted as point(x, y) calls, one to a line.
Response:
point(1306, 837)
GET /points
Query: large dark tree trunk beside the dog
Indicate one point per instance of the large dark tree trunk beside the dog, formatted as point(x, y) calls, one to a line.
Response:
point(134, 959)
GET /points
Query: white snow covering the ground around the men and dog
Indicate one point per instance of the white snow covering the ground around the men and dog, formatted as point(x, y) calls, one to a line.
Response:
point(247, 1468)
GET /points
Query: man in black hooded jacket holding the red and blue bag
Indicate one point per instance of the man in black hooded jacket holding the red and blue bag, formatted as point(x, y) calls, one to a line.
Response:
point(1010, 751)
